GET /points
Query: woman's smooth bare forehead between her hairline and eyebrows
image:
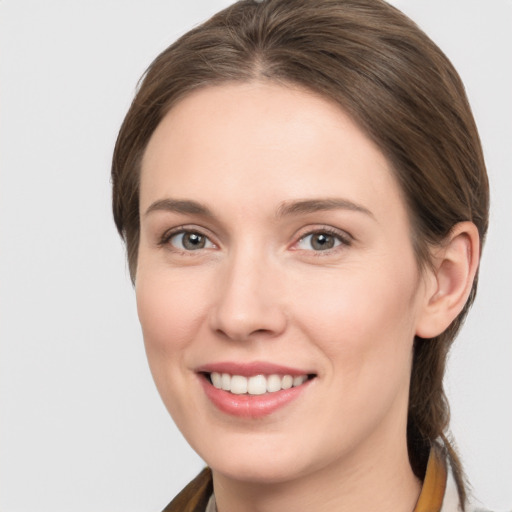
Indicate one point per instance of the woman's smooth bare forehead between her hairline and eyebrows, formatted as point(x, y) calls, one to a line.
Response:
point(242, 140)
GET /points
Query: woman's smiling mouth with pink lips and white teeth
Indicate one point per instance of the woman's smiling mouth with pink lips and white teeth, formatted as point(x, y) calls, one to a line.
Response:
point(254, 389)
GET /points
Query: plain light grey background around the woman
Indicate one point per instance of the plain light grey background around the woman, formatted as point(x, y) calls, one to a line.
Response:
point(82, 427)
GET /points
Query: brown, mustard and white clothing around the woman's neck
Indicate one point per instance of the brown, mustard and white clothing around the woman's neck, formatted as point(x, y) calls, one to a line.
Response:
point(438, 494)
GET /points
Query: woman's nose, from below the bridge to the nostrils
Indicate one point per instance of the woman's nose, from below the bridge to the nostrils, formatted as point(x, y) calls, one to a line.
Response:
point(249, 302)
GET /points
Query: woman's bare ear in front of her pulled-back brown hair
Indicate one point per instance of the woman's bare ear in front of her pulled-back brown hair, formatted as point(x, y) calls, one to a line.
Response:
point(450, 280)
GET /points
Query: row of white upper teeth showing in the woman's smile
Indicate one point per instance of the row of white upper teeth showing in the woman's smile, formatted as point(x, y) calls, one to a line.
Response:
point(255, 385)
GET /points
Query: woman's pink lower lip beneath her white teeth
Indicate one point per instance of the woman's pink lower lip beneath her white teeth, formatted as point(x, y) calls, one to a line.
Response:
point(251, 406)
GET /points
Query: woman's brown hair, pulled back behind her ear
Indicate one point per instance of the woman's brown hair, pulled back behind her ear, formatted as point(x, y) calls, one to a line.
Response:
point(394, 82)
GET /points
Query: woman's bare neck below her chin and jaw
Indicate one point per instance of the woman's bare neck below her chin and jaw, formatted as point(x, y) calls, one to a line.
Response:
point(381, 479)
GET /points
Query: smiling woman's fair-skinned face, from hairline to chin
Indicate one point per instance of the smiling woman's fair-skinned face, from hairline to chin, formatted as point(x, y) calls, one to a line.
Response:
point(275, 251)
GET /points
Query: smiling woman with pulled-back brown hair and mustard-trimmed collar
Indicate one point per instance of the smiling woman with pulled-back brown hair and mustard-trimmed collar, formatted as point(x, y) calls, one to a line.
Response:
point(303, 196)
